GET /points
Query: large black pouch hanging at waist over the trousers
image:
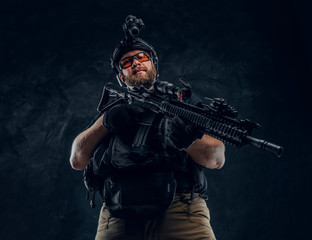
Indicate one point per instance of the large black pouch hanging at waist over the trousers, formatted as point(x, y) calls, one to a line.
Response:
point(142, 195)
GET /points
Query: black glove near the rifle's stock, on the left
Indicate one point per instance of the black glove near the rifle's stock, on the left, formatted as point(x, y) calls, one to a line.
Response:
point(122, 118)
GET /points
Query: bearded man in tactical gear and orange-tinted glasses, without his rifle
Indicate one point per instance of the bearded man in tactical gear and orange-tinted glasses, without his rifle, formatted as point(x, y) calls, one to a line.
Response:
point(156, 192)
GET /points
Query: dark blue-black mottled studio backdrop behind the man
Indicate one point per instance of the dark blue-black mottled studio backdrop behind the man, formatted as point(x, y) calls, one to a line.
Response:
point(55, 60)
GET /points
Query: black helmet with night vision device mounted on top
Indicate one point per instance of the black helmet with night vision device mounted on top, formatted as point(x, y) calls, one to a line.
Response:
point(132, 28)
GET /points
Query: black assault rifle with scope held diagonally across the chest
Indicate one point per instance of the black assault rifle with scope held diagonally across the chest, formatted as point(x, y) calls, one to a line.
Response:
point(216, 119)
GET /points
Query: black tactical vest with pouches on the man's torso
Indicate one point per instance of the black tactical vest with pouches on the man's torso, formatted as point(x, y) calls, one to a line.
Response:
point(141, 174)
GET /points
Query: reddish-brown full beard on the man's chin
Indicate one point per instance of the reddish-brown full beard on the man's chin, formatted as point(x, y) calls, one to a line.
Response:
point(146, 80)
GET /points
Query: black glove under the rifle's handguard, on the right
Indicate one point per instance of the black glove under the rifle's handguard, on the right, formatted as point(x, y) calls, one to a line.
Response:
point(181, 134)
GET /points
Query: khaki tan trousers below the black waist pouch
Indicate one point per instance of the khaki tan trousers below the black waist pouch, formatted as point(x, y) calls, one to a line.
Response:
point(185, 219)
